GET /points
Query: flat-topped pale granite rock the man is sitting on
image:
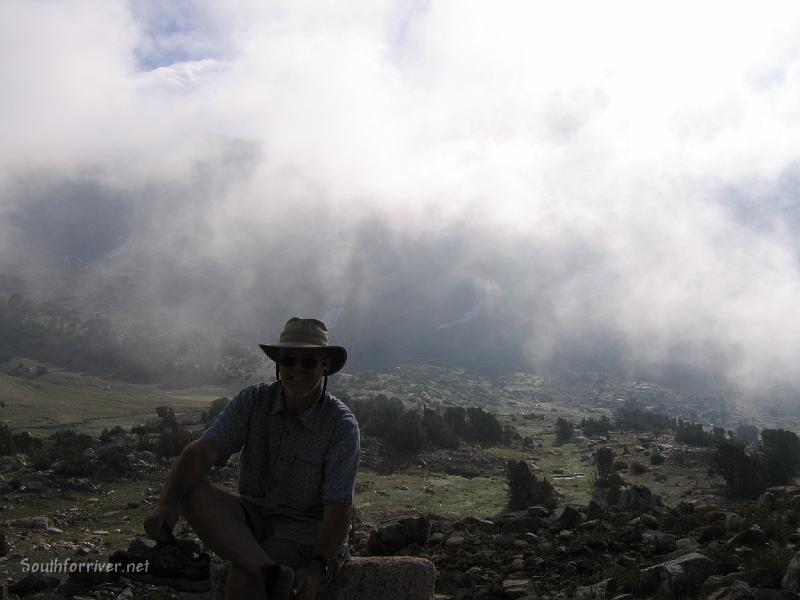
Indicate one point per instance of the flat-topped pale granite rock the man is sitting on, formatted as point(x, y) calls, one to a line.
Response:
point(364, 578)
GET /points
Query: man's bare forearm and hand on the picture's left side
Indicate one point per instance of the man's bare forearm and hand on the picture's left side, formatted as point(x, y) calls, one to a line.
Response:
point(192, 465)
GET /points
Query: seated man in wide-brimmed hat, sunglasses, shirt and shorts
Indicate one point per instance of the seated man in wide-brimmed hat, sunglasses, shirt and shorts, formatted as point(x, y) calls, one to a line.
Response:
point(286, 531)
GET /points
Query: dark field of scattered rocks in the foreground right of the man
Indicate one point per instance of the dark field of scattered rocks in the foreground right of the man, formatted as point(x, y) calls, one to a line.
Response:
point(636, 549)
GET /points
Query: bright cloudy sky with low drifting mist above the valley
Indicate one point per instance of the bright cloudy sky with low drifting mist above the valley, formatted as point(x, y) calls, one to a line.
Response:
point(587, 185)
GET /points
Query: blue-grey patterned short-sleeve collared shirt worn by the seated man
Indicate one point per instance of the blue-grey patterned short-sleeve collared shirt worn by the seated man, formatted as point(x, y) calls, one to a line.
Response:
point(291, 467)
